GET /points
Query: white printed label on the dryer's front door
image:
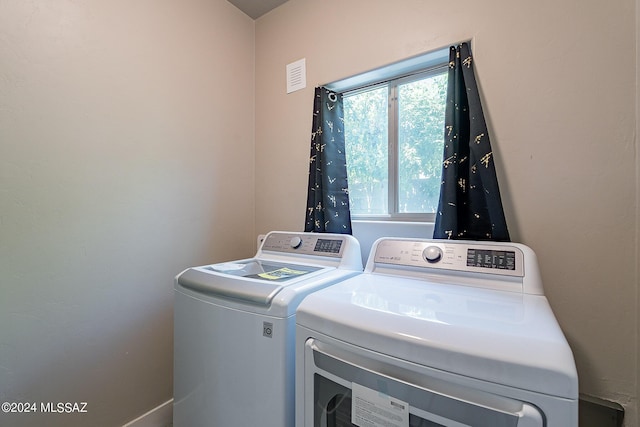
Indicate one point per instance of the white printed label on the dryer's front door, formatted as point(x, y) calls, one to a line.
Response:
point(371, 408)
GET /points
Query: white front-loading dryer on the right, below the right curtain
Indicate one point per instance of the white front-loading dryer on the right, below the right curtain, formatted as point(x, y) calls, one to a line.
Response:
point(435, 333)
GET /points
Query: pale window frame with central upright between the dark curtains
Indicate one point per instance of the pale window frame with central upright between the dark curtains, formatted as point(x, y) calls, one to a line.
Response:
point(392, 76)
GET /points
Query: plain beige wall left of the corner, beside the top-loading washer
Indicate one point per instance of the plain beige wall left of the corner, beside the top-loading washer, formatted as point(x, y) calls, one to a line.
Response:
point(126, 155)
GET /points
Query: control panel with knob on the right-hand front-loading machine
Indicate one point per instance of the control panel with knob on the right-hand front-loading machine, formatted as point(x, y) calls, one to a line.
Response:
point(493, 258)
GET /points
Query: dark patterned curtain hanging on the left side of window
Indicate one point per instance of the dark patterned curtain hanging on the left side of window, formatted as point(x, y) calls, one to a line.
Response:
point(328, 194)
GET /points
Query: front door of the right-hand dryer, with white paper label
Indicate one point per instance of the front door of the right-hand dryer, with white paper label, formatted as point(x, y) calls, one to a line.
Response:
point(345, 389)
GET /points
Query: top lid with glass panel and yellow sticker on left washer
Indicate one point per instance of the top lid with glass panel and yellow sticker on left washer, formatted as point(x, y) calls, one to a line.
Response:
point(256, 281)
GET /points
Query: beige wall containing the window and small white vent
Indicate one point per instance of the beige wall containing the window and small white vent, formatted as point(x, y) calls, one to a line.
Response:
point(558, 81)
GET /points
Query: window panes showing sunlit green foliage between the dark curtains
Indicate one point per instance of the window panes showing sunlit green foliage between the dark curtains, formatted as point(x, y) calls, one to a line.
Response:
point(394, 136)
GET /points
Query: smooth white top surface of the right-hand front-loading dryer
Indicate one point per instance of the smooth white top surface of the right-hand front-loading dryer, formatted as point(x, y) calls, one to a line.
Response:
point(502, 337)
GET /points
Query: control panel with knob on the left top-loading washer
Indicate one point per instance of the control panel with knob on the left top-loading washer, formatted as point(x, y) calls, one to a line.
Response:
point(305, 243)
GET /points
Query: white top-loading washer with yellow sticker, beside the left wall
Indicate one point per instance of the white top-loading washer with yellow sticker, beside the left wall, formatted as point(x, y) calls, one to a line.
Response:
point(234, 327)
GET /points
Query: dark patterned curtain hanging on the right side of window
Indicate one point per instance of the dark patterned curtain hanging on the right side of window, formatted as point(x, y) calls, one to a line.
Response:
point(470, 206)
